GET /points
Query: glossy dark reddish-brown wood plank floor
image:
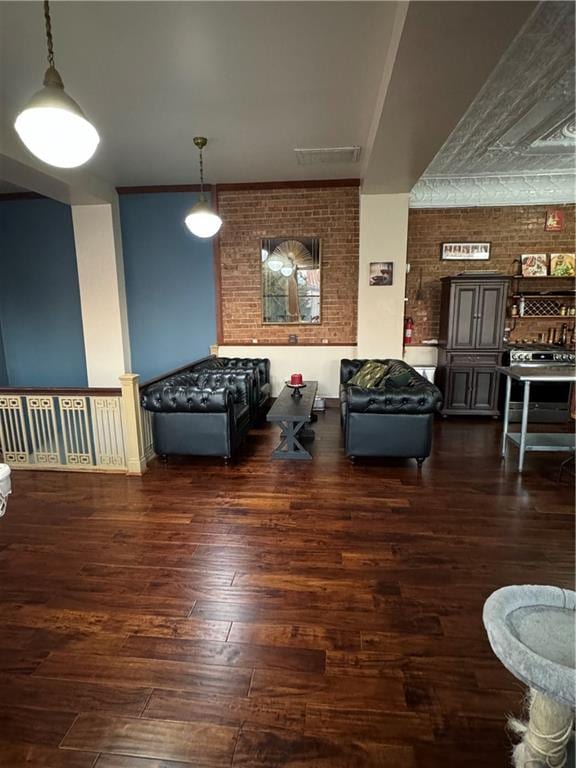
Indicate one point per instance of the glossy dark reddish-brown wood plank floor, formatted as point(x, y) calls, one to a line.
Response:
point(271, 613)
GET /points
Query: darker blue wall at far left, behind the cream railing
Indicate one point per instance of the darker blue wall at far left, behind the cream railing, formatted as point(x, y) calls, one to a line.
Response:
point(40, 313)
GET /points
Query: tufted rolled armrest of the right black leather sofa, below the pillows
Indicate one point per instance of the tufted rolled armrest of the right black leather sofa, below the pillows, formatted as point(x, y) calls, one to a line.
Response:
point(423, 397)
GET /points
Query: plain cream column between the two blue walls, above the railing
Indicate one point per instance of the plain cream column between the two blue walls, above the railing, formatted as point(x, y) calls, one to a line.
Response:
point(102, 292)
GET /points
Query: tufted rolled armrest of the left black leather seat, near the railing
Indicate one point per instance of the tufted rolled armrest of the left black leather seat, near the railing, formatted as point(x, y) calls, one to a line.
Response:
point(187, 398)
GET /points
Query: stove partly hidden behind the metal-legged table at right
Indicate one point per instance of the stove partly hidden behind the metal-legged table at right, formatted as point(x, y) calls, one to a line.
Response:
point(549, 400)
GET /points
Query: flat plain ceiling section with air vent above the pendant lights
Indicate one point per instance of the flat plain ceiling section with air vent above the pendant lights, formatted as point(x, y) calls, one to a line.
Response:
point(257, 79)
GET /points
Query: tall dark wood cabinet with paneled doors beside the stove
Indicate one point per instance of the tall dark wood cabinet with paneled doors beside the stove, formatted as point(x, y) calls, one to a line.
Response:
point(472, 318)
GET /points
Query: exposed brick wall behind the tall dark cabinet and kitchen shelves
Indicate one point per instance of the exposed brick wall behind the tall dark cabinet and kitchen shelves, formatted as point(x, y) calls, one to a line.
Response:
point(511, 230)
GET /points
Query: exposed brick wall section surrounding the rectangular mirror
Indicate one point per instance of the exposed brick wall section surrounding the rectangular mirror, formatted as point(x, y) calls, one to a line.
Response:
point(330, 213)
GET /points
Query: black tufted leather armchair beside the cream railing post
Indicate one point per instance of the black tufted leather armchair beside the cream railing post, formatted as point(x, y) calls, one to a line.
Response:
point(204, 413)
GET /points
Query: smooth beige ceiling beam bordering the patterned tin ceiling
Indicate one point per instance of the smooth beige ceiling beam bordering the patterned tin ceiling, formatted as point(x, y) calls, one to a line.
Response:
point(446, 52)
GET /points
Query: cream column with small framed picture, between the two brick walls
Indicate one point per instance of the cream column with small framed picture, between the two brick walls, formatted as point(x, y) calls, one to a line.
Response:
point(383, 237)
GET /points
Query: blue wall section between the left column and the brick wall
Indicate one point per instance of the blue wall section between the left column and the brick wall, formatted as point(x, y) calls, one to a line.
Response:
point(169, 283)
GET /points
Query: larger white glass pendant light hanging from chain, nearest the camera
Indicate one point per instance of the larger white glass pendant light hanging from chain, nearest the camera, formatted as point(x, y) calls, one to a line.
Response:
point(52, 125)
